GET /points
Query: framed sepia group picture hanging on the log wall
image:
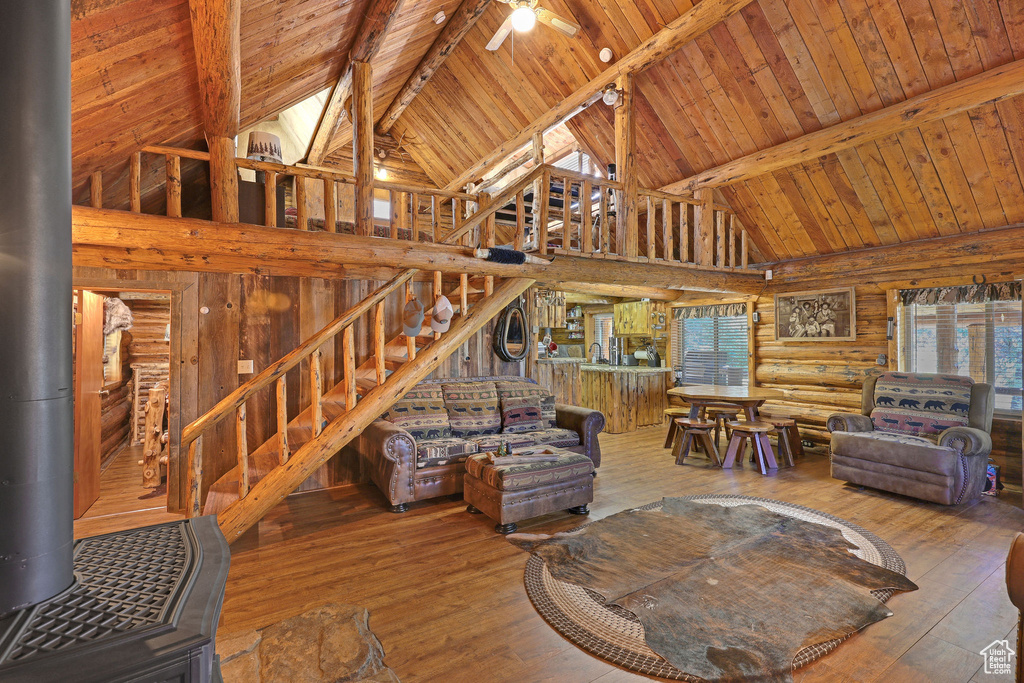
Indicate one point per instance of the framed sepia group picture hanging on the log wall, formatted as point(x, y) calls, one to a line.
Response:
point(822, 316)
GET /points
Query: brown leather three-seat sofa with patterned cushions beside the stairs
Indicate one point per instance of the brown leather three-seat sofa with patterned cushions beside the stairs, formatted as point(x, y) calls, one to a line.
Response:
point(418, 449)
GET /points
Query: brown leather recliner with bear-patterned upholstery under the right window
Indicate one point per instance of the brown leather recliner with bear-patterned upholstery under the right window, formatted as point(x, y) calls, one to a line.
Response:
point(919, 435)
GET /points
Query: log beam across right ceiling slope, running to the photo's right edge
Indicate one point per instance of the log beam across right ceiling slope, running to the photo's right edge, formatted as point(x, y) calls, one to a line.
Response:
point(991, 87)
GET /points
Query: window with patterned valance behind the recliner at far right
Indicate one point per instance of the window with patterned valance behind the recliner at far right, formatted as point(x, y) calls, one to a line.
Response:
point(978, 340)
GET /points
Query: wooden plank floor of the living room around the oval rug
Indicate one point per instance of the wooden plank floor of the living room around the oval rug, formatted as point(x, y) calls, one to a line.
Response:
point(446, 593)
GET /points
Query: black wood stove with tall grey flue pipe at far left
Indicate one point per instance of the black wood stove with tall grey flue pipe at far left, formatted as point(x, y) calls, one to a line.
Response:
point(139, 606)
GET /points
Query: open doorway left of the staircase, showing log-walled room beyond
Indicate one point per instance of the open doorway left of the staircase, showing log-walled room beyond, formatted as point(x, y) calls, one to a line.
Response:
point(122, 394)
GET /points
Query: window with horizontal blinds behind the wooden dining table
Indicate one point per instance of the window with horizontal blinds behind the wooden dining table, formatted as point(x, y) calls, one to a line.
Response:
point(711, 350)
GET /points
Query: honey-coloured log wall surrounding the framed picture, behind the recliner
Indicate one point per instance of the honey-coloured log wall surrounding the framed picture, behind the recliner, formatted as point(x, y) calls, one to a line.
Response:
point(822, 377)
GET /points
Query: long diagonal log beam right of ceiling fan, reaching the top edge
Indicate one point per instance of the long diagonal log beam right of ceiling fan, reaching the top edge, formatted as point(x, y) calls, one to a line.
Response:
point(695, 23)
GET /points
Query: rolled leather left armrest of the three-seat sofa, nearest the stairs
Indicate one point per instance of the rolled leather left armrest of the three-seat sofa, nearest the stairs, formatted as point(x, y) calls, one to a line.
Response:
point(391, 453)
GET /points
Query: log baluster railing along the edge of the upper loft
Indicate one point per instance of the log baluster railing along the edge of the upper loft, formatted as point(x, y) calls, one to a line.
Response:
point(547, 211)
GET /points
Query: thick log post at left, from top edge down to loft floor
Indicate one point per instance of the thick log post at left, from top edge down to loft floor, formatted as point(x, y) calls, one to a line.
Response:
point(216, 27)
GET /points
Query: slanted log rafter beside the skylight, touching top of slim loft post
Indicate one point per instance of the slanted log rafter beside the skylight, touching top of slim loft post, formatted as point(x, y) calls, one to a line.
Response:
point(366, 45)
